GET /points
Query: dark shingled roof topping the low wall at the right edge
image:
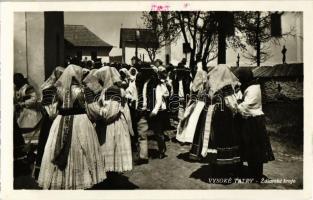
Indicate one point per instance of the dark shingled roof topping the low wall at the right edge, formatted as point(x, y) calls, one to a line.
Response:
point(279, 71)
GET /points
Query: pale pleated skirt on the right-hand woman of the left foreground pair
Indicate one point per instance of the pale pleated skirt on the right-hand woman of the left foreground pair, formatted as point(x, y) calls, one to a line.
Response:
point(117, 149)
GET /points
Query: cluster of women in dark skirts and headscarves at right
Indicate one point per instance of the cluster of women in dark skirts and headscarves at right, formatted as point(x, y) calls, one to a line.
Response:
point(221, 130)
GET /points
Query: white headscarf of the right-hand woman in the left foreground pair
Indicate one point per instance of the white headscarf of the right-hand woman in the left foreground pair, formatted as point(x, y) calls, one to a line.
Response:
point(108, 75)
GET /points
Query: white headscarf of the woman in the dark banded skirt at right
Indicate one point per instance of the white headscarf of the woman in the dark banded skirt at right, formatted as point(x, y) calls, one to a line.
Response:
point(219, 77)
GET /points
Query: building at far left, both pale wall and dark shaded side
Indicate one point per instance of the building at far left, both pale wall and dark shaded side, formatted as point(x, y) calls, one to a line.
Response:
point(36, 50)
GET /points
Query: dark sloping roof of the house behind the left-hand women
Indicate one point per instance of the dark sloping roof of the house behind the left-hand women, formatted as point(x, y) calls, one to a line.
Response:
point(79, 35)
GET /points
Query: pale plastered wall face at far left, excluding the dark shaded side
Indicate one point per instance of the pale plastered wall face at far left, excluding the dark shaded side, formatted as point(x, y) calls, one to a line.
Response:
point(29, 46)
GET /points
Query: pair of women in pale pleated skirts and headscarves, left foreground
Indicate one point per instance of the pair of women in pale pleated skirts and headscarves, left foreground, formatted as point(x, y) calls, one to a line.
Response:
point(87, 128)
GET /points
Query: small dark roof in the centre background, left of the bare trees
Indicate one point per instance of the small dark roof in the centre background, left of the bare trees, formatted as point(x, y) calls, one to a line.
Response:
point(146, 38)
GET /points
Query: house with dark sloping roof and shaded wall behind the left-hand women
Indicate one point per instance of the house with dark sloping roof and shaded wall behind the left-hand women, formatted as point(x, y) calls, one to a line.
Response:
point(81, 42)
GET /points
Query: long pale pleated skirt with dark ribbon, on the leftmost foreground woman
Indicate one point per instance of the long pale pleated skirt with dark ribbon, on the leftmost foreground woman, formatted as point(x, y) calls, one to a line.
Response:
point(85, 165)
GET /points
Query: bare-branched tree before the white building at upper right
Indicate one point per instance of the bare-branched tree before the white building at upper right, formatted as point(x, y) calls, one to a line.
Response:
point(257, 28)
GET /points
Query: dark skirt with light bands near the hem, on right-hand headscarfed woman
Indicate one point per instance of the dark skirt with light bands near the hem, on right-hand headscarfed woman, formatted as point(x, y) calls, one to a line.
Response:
point(223, 142)
